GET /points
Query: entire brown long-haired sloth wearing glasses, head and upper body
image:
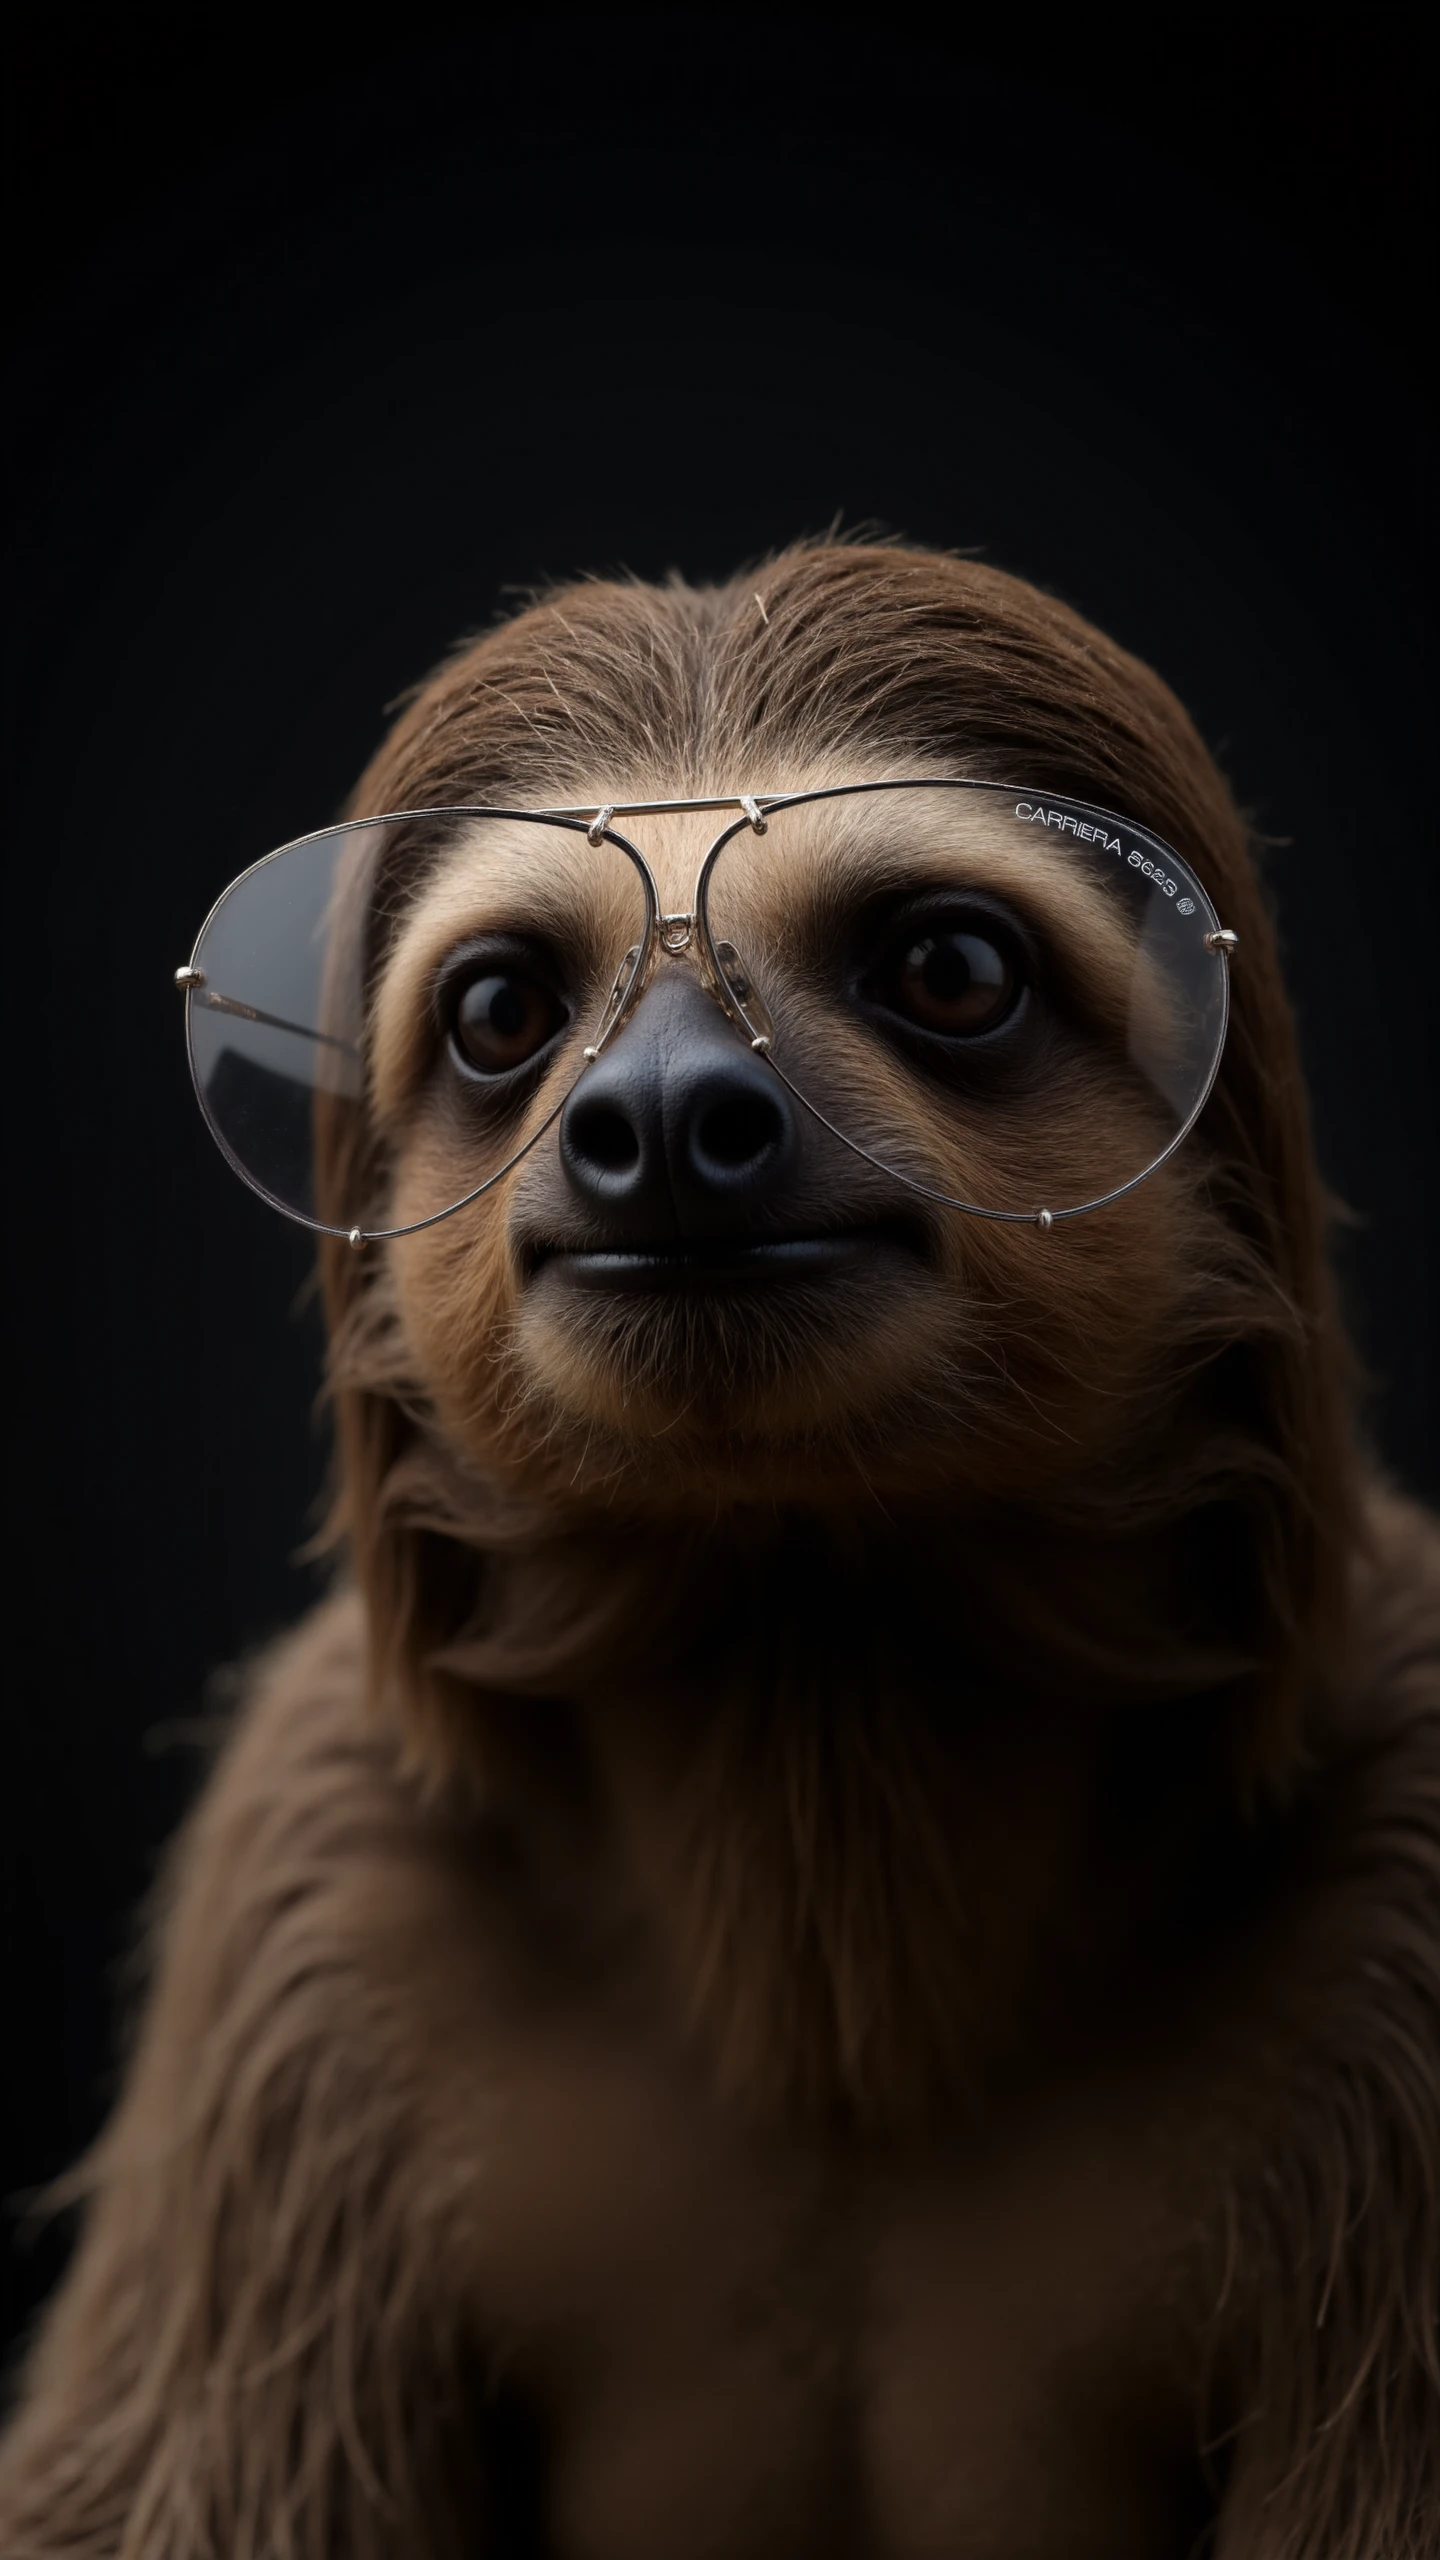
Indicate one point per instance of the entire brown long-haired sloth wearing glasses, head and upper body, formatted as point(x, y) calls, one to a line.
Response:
point(831, 1942)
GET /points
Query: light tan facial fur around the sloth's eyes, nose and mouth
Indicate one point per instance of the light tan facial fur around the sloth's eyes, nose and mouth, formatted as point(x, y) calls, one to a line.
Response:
point(949, 1376)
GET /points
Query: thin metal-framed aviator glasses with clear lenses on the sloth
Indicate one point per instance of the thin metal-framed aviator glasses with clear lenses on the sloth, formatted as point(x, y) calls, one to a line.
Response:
point(1054, 979)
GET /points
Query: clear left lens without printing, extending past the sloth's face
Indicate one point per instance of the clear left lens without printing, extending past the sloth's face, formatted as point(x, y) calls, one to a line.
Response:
point(391, 1012)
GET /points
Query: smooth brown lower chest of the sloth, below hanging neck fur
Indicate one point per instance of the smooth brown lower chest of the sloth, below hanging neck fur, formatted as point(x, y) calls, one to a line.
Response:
point(739, 2349)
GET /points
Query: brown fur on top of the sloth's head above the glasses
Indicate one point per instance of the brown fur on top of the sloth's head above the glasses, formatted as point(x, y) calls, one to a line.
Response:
point(829, 657)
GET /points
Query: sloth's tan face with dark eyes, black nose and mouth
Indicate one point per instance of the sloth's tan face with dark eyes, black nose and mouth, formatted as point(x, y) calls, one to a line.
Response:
point(691, 1284)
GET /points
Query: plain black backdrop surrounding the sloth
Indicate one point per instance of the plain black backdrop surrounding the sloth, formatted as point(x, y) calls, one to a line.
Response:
point(327, 347)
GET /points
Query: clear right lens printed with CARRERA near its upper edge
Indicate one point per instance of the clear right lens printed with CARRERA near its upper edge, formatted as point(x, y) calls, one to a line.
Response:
point(1001, 997)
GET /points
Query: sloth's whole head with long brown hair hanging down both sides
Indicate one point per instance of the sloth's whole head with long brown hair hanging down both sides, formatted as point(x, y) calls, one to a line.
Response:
point(691, 1302)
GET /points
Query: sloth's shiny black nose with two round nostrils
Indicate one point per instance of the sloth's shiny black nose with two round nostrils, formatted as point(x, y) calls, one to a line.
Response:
point(678, 1130)
